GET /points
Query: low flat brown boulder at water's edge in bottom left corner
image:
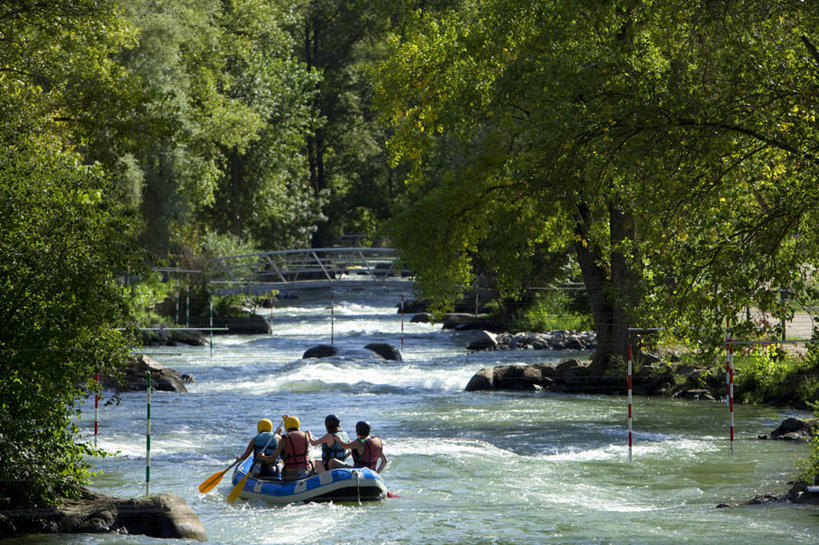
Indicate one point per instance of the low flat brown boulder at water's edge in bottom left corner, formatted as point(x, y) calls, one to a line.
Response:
point(161, 516)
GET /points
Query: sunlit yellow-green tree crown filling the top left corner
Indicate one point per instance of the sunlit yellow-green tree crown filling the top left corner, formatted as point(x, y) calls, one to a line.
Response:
point(57, 72)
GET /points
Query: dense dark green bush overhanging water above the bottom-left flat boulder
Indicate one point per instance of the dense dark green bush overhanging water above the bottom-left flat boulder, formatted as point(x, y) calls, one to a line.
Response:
point(61, 250)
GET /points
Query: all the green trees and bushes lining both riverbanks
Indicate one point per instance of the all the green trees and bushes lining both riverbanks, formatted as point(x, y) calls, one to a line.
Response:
point(662, 156)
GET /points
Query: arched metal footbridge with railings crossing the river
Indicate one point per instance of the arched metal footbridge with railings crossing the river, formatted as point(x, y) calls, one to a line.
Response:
point(310, 268)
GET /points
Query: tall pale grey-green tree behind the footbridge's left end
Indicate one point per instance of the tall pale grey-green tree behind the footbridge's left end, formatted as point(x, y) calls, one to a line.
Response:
point(226, 114)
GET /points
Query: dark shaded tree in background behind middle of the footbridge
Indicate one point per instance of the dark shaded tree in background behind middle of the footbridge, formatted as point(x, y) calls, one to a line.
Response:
point(349, 174)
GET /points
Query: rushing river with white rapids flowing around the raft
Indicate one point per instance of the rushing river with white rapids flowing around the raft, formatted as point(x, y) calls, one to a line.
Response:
point(477, 468)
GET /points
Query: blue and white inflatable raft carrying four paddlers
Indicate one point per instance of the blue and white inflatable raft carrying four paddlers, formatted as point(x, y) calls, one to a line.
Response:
point(360, 484)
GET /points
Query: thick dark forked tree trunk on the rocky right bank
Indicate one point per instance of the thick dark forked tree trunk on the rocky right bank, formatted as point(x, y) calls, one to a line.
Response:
point(612, 283)
